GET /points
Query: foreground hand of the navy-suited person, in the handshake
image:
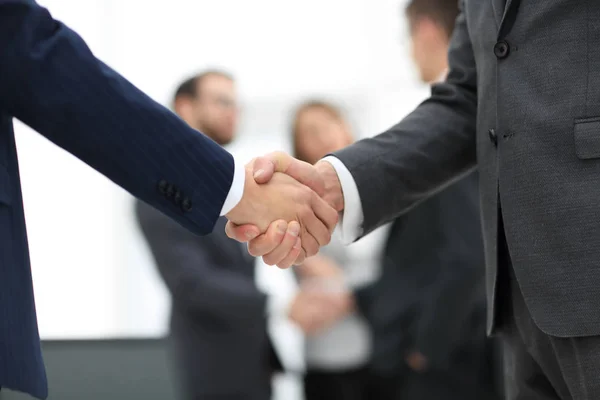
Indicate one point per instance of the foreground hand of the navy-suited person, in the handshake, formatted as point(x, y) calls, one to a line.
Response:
point(284, 198)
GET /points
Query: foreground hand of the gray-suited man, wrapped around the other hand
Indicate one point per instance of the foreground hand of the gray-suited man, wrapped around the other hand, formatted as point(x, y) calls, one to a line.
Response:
point(321, 177)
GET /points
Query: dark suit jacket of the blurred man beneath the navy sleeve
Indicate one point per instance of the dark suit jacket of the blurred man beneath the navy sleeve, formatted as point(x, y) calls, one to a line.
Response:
point(218, 318)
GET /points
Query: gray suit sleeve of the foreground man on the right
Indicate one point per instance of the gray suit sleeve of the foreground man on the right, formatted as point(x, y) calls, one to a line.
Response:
point(432, 147)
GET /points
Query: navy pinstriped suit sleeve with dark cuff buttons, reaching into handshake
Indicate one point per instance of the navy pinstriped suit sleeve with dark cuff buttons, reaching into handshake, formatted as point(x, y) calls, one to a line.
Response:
point(50, 80)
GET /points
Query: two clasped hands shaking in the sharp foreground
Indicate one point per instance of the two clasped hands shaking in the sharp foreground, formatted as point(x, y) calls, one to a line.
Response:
point(289, 209)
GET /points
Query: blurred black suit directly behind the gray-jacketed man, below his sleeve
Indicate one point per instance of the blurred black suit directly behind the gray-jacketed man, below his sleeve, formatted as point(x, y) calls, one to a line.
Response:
point(431, 298)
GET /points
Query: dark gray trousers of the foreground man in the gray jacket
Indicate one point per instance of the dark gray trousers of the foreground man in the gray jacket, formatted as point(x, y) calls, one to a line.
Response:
point(539, 366)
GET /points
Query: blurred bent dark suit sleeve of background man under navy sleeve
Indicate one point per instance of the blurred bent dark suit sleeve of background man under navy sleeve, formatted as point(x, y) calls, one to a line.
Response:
point(187, 265)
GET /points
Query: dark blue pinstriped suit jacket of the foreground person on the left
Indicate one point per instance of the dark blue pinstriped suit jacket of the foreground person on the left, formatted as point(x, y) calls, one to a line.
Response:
point(50, 80)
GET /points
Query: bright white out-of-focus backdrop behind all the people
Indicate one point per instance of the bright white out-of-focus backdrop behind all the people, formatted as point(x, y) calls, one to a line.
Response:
point(93, 274)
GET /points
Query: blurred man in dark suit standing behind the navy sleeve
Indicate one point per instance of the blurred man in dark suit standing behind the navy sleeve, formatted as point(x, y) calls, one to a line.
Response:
point(219, 316)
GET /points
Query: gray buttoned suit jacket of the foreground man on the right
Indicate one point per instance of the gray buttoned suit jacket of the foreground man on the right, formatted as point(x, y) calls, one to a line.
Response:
point(522, 102)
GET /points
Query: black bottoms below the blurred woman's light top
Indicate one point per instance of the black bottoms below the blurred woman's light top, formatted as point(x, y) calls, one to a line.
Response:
point(352, 384)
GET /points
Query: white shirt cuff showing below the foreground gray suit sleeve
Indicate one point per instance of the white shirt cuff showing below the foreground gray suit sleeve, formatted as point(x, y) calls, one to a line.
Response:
point(351, 219)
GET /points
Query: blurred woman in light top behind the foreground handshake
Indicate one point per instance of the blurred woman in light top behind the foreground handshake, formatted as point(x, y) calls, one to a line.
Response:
point(337, 353)
